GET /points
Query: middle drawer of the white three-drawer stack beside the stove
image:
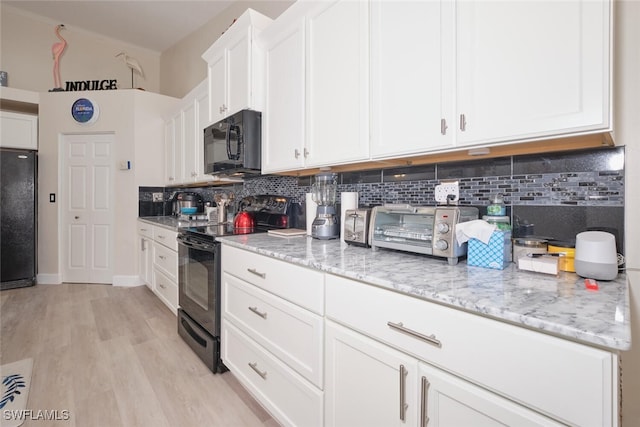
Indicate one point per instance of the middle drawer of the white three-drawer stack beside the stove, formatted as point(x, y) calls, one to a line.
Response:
point(291, 333)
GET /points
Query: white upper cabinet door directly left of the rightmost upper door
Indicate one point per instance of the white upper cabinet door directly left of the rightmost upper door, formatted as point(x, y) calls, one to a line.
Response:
point(412, 76)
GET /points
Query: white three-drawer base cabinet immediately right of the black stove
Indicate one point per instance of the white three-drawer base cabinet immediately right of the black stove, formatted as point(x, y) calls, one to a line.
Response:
point(273, 334)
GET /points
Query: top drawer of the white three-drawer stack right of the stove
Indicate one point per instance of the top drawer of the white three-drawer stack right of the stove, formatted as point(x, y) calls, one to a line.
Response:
point(297, 284)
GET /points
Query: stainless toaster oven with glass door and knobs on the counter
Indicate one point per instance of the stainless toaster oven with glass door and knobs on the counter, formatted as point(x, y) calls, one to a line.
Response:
point(429, 230)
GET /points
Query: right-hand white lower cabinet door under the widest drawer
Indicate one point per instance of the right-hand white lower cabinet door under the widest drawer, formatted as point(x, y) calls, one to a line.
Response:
point(451, 401)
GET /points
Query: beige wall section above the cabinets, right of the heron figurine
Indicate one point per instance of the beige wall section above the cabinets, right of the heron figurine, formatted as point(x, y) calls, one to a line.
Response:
point(182, 67)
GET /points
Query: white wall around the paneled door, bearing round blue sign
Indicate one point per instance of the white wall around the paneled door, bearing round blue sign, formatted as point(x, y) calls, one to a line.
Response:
point(136, 119)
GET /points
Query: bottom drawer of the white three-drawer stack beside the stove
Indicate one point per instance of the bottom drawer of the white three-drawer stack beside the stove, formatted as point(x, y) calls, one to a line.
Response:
point(292, 400)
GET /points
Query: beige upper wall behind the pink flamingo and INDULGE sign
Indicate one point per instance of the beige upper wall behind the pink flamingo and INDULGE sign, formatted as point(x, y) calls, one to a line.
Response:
point(25, 54)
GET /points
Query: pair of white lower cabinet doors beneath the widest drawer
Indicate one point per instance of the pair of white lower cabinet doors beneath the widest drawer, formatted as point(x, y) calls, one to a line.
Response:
point(372, 384)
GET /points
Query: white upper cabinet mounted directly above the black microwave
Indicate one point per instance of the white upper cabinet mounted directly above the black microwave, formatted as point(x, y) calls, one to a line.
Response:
point(234, 67)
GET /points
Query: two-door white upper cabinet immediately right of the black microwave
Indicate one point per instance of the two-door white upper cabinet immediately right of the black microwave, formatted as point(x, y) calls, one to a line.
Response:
point(316, 86)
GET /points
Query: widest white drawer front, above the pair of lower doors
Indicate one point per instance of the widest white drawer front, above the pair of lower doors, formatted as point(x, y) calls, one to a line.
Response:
point(571, 382)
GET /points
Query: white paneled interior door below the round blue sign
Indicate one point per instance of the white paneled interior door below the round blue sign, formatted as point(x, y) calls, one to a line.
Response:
point(86, 199)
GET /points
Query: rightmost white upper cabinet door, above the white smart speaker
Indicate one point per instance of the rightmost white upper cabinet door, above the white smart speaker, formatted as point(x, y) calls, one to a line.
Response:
point(530, 68)
